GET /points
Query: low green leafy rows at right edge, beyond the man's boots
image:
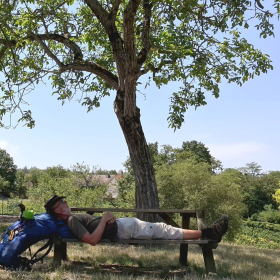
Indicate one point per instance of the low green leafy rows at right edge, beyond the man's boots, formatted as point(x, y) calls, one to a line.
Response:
point(259, 234)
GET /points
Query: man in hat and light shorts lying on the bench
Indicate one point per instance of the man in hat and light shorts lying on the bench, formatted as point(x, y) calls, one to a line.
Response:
point(90, 229)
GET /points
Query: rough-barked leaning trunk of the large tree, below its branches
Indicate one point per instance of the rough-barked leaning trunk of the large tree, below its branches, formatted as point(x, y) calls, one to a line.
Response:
point(146, 195)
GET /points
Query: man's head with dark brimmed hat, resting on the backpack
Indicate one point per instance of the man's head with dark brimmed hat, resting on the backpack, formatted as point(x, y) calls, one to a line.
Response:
point(57, 206)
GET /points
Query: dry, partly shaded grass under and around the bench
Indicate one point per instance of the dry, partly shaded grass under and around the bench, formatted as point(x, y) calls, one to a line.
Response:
point(154, 262)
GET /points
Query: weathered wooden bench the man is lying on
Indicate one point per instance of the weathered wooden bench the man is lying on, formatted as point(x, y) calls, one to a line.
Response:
point(60, 245)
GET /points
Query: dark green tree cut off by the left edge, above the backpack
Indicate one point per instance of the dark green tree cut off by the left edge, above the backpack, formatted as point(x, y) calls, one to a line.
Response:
point(8, 172)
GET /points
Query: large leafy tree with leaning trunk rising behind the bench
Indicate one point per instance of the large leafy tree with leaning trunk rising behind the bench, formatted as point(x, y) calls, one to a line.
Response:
point(97, 47)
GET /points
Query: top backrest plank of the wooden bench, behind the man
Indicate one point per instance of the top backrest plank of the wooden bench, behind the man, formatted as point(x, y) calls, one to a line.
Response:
point(192, 213)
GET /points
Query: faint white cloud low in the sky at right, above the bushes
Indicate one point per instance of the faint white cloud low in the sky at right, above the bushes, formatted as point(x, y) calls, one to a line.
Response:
point(234, 151)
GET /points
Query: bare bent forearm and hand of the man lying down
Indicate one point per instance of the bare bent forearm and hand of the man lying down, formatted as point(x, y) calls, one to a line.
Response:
point(95, 237)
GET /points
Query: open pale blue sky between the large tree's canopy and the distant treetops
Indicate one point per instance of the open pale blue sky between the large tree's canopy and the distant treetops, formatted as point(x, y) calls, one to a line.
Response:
point(239, 127)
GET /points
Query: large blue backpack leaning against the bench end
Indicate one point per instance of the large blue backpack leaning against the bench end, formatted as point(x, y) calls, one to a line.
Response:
point(26, 232)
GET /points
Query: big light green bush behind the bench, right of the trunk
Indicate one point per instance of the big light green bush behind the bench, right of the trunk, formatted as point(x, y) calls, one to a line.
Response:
point(192, 185)
